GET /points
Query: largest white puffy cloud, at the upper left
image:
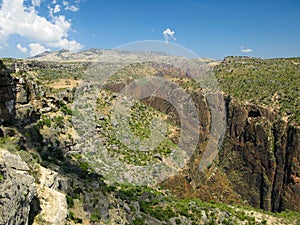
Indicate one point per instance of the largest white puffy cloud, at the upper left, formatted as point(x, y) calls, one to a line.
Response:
point(15, 18)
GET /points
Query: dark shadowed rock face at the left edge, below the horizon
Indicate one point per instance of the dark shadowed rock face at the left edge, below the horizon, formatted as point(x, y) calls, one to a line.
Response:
point(7, 95)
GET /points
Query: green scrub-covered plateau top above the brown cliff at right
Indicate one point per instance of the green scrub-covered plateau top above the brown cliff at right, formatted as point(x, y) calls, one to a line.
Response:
point(273, 83)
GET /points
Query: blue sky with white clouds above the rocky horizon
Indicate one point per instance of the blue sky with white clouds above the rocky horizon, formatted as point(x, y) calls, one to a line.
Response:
point(210, 28)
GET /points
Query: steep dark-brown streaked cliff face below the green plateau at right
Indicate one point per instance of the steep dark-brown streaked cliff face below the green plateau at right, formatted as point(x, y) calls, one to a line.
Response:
point(260, 156)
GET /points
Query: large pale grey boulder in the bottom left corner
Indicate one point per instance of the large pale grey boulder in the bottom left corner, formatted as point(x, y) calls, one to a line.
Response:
point(17, 190)
